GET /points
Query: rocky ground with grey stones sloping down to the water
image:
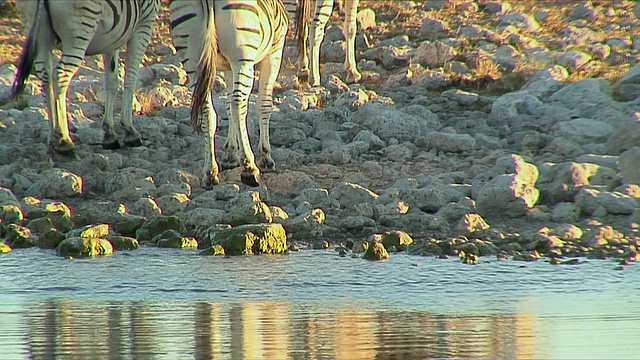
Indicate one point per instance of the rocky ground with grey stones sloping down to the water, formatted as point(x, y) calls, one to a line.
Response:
point(479, 128)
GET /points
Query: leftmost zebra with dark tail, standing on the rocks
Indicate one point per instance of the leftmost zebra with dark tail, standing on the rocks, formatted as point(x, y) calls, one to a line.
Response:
point(79, 28)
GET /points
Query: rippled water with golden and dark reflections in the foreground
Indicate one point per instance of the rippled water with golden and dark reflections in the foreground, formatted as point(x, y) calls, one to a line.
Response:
point(172, 304)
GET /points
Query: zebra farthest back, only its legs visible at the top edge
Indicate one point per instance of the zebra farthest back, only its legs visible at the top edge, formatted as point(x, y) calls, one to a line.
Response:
point(310, 37)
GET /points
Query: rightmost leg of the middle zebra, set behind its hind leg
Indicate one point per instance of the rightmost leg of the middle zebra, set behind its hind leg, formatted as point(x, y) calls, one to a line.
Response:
point(269, 68)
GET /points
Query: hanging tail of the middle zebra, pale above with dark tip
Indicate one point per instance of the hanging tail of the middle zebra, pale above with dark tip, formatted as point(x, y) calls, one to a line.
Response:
point(206, 73)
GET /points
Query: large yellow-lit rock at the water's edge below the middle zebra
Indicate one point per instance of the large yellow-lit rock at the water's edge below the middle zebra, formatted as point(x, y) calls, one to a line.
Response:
point(253, 239)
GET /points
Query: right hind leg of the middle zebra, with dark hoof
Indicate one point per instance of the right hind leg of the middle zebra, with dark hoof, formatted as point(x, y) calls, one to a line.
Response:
point(243, 75)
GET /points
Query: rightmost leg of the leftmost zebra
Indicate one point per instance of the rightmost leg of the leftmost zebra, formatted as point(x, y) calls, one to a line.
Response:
point(136, 47)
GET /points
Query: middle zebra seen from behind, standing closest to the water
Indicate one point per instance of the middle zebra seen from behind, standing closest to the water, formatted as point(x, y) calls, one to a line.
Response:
point(231, 35)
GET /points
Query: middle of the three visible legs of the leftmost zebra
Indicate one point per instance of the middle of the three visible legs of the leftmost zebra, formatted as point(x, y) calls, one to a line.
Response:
point(110, 60)
